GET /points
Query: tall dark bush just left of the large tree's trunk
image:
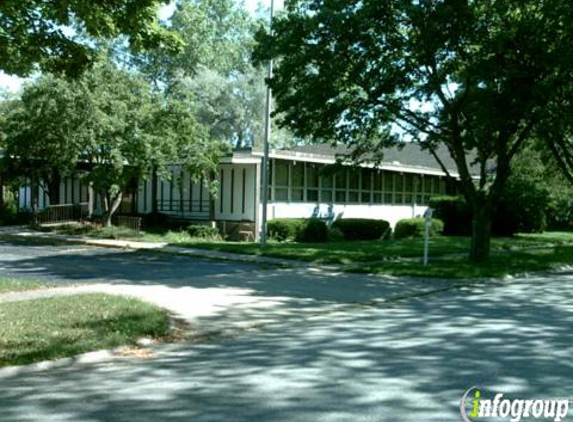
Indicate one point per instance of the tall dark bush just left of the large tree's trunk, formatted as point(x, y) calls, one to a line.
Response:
point(455, 214)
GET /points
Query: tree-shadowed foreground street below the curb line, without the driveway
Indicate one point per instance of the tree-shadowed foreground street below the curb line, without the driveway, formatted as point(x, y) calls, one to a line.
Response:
point(410, 362)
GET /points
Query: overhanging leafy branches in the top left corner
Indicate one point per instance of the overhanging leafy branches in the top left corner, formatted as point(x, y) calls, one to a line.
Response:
point(38, 34)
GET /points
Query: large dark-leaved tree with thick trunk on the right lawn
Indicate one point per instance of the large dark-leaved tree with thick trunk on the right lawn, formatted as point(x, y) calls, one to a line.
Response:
point(482, 78)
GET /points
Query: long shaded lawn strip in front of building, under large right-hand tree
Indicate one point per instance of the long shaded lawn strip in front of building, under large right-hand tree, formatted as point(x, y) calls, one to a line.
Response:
point(518, 254)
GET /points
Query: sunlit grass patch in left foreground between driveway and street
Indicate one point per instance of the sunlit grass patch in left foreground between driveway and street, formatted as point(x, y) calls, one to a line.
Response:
point(52, 328)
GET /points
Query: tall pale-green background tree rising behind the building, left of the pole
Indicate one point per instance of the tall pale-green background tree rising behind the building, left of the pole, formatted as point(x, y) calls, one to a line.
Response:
point(214, 68)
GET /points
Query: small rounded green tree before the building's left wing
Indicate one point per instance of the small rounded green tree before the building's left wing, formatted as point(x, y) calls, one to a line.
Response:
point(112, 127)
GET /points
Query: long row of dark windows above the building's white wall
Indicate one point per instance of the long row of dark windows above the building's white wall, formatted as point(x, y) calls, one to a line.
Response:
point(309, 182)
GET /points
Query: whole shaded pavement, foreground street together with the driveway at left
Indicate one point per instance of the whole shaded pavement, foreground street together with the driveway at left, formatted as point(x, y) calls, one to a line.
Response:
point(321, 355)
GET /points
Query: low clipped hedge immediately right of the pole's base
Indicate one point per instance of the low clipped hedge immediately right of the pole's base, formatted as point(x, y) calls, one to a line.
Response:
point(299, 229)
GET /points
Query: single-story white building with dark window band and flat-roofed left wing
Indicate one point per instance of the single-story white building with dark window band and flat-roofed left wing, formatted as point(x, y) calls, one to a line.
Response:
point(300, 186)
